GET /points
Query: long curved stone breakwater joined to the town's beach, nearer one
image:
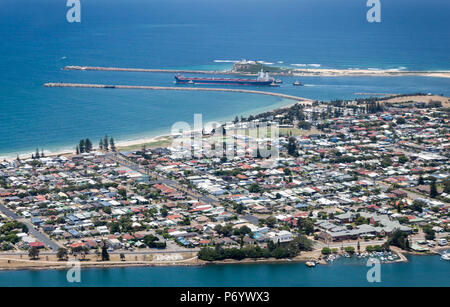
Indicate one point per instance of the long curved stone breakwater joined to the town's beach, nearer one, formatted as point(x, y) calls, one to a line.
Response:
point(180, 88)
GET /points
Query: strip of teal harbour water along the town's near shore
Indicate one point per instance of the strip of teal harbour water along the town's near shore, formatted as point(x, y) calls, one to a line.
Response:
point(419, 271)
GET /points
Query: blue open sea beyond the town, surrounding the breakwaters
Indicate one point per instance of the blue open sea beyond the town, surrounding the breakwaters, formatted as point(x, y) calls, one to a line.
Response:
point(37, 42)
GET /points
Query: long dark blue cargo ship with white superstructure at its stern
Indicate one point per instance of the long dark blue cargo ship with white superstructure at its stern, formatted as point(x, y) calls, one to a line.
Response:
point(262, 79)
